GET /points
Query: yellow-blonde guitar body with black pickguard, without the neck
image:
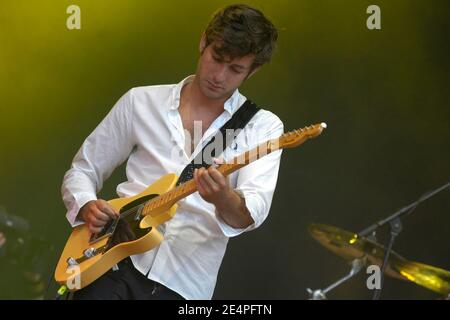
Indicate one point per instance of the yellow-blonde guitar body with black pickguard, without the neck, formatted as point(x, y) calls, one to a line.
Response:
point(91, 258)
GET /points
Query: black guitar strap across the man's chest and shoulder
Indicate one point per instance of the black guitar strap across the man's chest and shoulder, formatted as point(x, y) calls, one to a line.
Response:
point(204, 158)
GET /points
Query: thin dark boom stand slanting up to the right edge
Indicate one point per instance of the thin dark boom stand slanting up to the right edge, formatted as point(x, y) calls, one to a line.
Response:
point(395, 225)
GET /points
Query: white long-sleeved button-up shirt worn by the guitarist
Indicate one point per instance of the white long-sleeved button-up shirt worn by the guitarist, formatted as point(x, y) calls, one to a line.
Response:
point(145, 127)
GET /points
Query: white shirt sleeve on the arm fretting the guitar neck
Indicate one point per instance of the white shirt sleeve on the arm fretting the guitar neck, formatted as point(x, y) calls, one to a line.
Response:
point(256, 181)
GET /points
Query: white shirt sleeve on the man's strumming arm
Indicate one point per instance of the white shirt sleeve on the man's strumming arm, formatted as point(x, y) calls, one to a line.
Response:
point(106, 148)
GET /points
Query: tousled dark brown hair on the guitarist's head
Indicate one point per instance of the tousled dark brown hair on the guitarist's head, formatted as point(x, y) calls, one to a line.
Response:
point(239, 30)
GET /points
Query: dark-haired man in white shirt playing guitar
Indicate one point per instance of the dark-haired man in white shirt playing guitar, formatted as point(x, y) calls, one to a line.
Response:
point(152, 127)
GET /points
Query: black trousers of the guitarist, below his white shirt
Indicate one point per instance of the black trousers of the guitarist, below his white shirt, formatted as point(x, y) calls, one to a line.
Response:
point(127, 283)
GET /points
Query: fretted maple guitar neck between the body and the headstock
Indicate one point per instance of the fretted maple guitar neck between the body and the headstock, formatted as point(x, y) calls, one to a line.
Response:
point(182, 191)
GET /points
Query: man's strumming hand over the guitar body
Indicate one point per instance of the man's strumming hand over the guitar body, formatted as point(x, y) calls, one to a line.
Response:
point(96, 214)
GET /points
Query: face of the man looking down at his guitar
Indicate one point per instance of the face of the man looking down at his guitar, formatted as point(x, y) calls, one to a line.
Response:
point(218, 77)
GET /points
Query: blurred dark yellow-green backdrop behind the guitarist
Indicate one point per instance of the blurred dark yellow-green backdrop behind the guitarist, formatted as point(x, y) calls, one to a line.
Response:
point(383, 93)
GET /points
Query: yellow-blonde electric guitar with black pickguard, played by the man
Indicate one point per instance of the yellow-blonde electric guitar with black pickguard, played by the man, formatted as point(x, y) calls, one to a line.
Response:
point(87, 256)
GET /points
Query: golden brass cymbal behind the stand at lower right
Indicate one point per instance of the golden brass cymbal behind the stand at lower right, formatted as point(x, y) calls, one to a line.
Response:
point(350, 246)
